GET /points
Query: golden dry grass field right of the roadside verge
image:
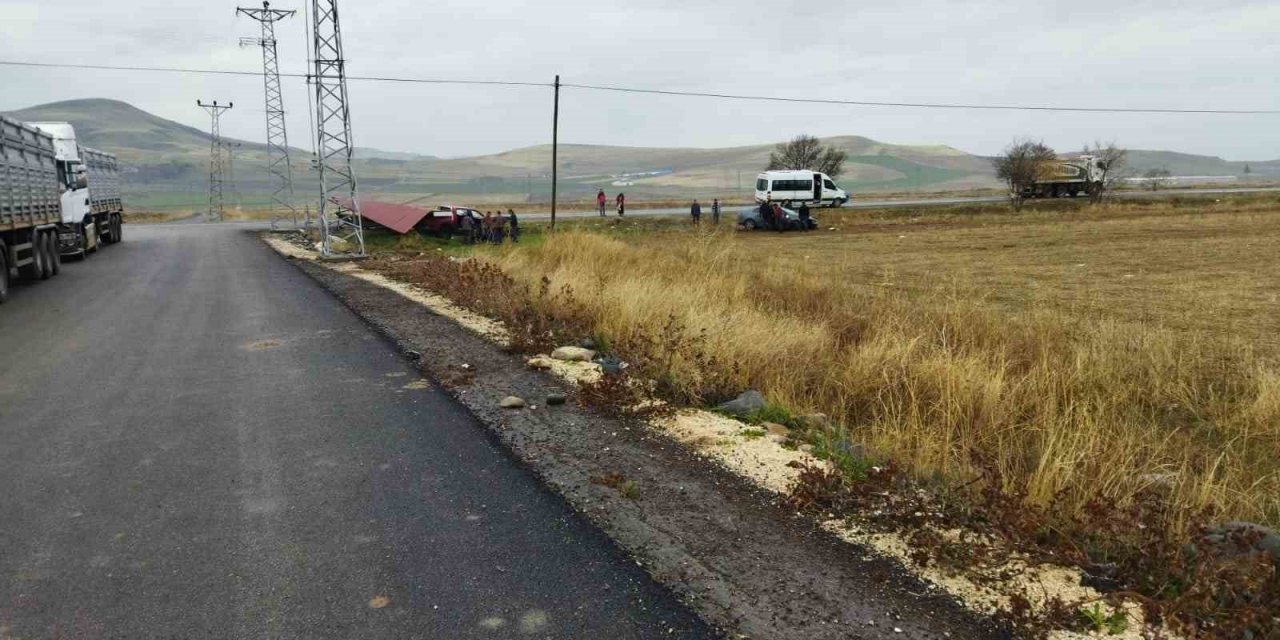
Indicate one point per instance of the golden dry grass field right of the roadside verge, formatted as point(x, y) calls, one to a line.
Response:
point(1087, 351)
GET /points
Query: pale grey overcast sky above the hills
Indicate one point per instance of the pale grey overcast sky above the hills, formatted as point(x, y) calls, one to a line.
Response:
point(1080, 53)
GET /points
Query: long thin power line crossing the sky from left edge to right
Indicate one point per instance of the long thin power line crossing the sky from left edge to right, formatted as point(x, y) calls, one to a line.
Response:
point(685, 94)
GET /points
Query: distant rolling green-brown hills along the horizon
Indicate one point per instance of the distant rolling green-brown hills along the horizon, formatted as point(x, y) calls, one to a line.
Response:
point(167, 164)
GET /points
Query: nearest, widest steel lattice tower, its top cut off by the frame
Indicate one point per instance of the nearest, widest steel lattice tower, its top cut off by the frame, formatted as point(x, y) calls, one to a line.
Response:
point(340, 202)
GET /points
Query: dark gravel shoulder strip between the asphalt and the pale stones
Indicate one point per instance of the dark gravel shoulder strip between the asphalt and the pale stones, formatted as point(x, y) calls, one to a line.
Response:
point(726, 548)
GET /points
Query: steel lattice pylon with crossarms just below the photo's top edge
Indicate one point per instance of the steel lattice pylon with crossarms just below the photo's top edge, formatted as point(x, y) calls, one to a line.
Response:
point(277, 138)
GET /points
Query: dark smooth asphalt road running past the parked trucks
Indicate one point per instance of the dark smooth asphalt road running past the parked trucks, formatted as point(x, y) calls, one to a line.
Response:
point(196, 441)
